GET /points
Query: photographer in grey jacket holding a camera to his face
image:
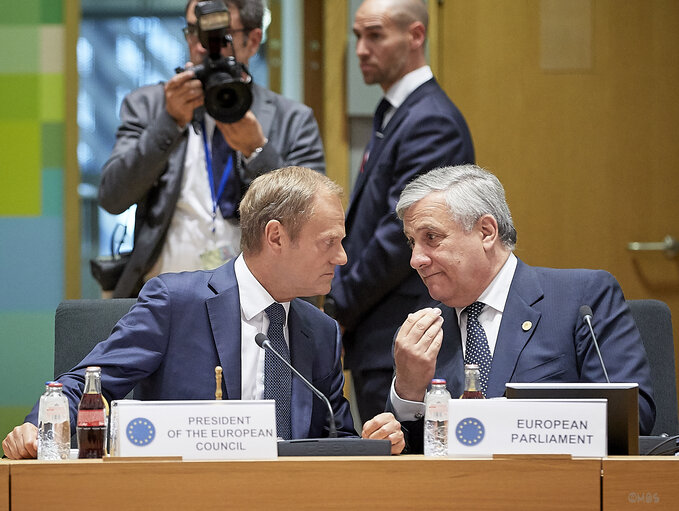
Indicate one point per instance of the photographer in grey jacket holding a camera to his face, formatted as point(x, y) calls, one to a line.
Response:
point(170, 159)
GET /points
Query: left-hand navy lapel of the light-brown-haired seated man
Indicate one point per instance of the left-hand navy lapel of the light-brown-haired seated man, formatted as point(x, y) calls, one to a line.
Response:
point(224, 314)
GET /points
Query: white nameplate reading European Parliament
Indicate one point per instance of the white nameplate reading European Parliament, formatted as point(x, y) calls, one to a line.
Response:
point(483, 427)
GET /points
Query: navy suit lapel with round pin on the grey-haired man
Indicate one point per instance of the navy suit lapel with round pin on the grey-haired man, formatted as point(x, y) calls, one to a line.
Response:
point(519, 321)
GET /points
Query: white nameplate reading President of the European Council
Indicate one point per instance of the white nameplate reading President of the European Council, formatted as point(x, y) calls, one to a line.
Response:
point(223, 430)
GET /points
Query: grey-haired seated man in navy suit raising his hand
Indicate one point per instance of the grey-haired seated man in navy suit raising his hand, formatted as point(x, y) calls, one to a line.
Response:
point(519, 323)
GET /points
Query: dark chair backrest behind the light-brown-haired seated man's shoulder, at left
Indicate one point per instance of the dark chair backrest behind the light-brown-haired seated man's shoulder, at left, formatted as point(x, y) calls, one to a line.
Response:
point(80, 324)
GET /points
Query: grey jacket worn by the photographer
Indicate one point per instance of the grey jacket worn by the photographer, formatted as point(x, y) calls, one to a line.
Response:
point(147, 165)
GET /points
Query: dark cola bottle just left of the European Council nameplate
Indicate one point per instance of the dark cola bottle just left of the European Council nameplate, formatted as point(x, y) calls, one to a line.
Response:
point(91, 428)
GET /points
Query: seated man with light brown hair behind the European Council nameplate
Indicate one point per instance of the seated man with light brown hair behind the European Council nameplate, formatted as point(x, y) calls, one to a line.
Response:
point(185, 324)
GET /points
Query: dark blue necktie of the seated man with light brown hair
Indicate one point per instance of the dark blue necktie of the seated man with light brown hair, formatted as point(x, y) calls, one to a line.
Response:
point(277, 376)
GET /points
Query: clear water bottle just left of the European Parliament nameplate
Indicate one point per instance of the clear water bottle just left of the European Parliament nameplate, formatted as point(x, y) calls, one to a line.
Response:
point(436, 419)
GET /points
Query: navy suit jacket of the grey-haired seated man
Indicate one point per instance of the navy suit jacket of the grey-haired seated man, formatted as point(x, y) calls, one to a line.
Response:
point(558, 346)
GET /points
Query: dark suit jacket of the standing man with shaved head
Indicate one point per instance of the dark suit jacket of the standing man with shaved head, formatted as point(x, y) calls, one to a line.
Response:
point(376, 289)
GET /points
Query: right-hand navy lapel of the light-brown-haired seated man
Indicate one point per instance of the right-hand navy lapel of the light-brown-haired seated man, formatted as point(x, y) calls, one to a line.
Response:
point(301, 355)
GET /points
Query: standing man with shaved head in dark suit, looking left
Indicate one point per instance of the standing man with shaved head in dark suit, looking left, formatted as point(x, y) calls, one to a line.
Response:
point(417, 128)
